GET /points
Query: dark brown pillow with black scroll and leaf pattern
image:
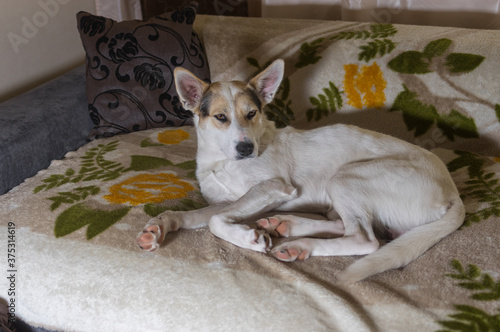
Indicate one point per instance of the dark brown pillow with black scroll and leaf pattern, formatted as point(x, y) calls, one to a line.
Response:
point(130, 64)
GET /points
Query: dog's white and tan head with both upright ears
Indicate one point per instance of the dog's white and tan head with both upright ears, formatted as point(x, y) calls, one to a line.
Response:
point(229, 114)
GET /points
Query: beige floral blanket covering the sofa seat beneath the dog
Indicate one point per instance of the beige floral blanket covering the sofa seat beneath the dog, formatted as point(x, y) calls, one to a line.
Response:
point(79, 268)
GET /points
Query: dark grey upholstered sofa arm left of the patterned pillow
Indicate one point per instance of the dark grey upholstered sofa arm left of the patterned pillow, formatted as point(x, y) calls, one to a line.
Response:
point(42, 125)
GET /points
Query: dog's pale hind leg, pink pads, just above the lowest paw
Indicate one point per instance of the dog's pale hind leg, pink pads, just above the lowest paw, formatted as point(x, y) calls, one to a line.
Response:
point(292, 225)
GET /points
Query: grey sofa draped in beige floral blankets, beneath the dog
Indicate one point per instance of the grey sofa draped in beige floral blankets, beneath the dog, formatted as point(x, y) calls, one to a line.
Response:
point(77, 189)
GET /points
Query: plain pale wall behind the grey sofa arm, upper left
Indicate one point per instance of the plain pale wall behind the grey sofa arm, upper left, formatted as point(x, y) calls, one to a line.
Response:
point(38, 41)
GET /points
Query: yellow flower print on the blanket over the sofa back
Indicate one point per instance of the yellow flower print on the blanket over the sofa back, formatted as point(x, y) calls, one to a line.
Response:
point(365, 87)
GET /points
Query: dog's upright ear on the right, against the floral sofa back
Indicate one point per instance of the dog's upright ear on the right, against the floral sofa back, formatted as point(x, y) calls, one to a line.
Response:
point(267, 82)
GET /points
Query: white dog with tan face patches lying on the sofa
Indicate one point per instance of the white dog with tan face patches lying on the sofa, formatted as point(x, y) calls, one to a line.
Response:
point(365, 183)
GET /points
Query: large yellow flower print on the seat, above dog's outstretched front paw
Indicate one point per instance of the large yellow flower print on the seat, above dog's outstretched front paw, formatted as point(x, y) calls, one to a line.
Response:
point(148, 188)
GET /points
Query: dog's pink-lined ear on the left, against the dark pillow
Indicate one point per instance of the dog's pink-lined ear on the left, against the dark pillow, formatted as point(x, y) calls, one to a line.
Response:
point(189, 88)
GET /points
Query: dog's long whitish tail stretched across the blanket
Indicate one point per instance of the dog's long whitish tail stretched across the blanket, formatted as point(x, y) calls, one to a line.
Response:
point(407, 247)
